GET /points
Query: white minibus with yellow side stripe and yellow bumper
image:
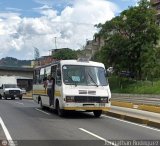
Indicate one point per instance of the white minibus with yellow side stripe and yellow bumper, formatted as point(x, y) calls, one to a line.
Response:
point(80, 85)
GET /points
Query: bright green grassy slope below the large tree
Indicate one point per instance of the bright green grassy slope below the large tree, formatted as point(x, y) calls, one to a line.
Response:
point(124, 85)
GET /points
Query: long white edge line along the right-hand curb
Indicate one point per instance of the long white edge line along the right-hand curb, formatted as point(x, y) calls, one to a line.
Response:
point(132, 123)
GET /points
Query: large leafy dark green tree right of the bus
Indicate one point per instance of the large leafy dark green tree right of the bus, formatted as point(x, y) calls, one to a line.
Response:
point(130, 39)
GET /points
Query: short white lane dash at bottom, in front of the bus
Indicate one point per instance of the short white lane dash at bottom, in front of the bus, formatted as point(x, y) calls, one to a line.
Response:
point(101, 138)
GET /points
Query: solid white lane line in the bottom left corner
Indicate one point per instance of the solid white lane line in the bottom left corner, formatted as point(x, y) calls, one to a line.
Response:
point(8, 136)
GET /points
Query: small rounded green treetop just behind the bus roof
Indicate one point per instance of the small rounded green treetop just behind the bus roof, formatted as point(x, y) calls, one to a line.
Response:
point(65, 54)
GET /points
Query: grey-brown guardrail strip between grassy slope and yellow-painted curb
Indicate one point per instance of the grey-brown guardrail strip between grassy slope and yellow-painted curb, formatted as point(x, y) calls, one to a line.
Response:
point(147, 99)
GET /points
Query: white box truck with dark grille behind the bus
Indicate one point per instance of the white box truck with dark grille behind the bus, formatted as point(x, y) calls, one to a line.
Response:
point(9, 89)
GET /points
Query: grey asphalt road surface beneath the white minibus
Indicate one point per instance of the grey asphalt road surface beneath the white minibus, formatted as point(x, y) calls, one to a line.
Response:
point(27, 124)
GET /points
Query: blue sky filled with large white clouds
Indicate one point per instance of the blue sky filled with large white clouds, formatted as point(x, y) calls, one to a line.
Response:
point(25, 24)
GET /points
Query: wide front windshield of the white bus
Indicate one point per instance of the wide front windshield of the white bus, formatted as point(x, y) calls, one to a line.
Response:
point(84, 75)
